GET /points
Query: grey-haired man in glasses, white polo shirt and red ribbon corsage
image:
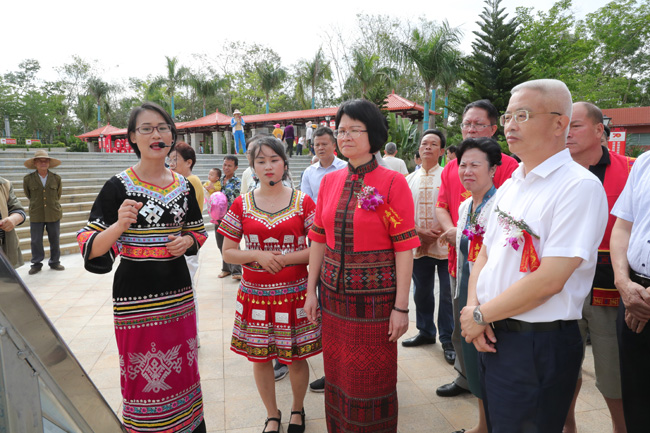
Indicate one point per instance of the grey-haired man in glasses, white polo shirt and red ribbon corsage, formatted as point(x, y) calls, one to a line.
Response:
point(531, 354)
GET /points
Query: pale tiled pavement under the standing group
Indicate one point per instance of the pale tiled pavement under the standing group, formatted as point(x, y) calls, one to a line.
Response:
point(79, 305)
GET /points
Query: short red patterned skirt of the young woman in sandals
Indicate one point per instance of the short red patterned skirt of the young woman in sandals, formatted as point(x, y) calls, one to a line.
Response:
point(271, 323)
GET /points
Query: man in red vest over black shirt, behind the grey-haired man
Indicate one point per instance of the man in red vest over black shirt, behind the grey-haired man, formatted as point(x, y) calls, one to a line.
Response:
point(601, 306)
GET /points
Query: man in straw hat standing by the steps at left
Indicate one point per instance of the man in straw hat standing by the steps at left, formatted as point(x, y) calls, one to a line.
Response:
point(43, 189)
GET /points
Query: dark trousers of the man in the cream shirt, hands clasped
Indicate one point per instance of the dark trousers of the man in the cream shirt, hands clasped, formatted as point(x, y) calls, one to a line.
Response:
point(424, 271)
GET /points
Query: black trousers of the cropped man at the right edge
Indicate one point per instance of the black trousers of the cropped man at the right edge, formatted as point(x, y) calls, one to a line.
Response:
point(634, 351)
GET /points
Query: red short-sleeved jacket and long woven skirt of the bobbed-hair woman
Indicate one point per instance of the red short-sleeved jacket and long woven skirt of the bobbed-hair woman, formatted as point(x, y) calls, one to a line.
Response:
point(358, 288)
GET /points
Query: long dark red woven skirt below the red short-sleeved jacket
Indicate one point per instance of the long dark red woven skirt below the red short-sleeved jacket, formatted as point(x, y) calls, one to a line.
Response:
point(360, 363)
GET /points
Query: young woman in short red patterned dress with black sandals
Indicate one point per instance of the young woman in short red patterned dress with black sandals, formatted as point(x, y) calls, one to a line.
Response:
point(270, 321)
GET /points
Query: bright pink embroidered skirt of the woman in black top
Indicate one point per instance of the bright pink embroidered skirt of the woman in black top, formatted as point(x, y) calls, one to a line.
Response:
point(156, 339)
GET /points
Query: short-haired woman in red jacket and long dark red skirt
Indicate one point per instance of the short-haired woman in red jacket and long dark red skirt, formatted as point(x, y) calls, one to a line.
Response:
point(363, 257)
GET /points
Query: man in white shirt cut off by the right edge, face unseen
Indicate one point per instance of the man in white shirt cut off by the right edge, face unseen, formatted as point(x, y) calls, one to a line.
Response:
point(630, 252)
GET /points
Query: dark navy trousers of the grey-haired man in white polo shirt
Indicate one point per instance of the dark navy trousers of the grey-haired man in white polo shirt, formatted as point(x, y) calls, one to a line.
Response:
point(528, 384)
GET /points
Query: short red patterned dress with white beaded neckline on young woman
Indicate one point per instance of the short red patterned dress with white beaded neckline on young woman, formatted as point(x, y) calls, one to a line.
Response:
point(270, 321)
